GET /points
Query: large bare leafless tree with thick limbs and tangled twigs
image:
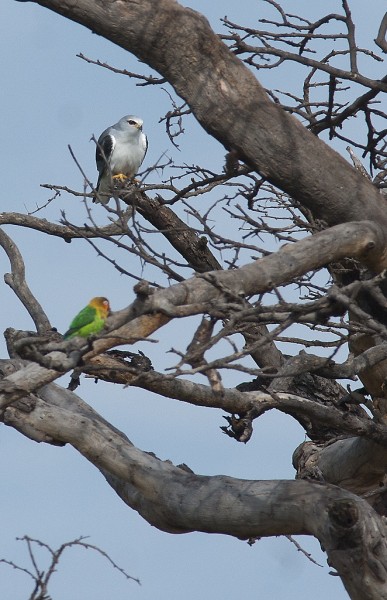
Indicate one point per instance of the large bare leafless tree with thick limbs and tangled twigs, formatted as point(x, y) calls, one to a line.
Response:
point(305, 266)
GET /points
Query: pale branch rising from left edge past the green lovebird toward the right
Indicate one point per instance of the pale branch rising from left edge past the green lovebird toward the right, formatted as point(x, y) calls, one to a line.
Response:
point(151, 311)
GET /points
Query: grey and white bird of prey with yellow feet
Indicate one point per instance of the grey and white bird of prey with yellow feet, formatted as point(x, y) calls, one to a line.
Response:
point(120, 151)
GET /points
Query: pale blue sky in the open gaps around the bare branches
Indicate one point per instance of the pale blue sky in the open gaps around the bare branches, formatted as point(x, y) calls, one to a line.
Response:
point(51, 99)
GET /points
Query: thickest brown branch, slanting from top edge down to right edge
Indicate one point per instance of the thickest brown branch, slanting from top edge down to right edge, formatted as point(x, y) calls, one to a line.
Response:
point(224, 95)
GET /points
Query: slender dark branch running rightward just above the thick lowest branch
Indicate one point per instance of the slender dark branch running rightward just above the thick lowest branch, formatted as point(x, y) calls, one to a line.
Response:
point(251, 405)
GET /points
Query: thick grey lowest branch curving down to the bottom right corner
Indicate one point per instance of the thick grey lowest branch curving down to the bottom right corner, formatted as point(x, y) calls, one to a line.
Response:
point(176, 500)
